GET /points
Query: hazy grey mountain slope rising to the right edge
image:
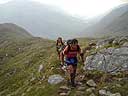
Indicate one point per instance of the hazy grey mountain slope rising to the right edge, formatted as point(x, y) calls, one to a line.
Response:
point(113, 24)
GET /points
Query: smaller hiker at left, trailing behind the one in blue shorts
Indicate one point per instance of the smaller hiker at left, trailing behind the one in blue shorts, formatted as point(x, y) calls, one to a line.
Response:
point(59, 46)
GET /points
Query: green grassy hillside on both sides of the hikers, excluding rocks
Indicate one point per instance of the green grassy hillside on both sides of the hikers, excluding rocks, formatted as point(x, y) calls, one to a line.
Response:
point(19, 64)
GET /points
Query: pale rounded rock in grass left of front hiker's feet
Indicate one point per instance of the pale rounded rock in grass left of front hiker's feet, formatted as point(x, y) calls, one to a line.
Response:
point(55, 79)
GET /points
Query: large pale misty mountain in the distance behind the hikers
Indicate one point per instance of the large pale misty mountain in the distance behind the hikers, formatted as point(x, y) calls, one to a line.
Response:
point(41, 20)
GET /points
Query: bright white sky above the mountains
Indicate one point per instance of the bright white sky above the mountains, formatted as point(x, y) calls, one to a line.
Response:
point(81, 8)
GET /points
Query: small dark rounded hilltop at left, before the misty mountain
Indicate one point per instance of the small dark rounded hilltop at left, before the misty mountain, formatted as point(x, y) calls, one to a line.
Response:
point(13, 32)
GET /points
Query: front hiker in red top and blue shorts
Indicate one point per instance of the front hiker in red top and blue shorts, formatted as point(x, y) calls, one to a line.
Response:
point(70, 52)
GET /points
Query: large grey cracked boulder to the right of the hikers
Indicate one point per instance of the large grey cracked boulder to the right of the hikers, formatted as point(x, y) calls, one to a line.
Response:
point(108, 60)
